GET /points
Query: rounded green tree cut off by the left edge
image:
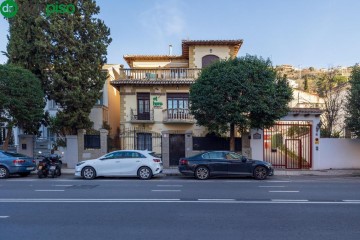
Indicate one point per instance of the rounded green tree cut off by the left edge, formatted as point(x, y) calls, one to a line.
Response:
point(21, 100)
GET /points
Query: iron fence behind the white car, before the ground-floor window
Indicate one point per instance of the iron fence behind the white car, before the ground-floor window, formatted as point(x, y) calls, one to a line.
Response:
point(140, 139)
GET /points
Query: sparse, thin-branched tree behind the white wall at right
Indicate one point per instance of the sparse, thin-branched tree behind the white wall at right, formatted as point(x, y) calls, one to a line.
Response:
point(329, 86)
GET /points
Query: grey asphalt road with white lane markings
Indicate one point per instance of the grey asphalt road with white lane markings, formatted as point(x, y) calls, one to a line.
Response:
point(281, 207)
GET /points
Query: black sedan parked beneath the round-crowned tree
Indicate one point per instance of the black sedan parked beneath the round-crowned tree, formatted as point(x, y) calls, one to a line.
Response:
point(224, 163)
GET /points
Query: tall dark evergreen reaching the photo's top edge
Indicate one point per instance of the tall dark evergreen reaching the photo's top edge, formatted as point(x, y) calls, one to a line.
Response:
point(67, 52)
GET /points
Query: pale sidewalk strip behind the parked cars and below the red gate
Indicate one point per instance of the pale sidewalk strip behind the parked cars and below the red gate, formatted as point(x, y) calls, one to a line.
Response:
point(278, 172)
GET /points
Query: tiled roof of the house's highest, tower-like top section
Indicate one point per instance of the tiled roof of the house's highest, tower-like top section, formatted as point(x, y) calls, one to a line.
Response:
point(186, 43)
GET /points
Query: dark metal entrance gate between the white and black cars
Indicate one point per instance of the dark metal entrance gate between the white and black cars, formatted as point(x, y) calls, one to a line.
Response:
point(177, 148)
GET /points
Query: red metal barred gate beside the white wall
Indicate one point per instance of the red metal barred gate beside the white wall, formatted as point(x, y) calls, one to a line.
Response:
point(288, 145)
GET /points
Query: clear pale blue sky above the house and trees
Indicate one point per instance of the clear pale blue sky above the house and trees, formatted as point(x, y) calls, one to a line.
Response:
point(303, 33)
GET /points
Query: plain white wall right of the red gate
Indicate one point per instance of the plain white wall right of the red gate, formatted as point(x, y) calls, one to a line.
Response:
point(338, 153)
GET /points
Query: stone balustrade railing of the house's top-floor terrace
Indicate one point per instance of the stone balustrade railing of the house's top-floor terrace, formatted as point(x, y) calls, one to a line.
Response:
point(159, 74)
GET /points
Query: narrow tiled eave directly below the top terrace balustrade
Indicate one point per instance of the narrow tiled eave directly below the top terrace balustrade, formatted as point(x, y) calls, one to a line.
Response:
point(152, 82)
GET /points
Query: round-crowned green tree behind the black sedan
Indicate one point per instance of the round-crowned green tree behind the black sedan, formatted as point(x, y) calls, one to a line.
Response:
point(244, 93)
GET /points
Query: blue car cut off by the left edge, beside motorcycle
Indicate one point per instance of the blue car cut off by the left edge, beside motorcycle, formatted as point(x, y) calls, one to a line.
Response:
point(15, 163)
